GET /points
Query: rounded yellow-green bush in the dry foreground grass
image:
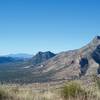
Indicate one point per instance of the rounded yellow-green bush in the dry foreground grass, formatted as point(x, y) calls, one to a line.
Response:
point(73, 90)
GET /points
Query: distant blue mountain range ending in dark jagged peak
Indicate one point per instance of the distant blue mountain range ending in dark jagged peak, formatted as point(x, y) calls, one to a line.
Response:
point(35, 60)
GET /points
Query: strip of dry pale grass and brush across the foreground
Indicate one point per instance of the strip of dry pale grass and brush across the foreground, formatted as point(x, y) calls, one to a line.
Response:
point(72, 91)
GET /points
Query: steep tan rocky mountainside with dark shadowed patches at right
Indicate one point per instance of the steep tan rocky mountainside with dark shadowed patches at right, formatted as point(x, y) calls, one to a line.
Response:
point(73, 64)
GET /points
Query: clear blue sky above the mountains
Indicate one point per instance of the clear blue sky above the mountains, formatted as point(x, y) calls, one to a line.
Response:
point(29, 26)
